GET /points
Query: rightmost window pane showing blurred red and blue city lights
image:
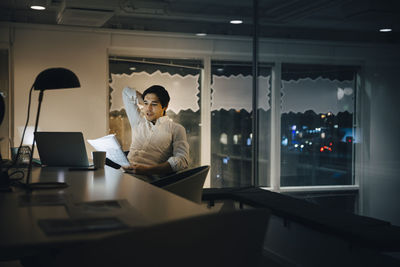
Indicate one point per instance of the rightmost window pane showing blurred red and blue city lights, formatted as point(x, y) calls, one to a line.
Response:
point(317, 132)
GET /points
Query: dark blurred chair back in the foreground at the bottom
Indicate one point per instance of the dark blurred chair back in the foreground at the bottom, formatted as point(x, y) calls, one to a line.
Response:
point(212, 240)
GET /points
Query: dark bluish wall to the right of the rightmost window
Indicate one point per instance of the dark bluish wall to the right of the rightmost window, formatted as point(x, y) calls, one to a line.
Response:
point(381, 180)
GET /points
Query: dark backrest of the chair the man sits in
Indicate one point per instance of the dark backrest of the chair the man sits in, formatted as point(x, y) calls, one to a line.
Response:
point(188, 183)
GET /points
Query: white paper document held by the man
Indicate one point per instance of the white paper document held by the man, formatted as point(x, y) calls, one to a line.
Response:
point(110, 144)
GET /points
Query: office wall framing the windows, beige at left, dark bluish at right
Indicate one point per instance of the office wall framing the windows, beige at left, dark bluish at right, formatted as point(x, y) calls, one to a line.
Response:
point(85, 52)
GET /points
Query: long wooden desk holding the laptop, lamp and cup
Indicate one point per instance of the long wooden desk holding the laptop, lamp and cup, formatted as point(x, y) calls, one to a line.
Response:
point(19, 231)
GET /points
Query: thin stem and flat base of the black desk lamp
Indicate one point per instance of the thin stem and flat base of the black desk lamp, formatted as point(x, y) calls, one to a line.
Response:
point(39, 185)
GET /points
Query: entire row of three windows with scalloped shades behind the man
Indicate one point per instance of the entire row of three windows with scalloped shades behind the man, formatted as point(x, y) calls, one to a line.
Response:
point(317, 107)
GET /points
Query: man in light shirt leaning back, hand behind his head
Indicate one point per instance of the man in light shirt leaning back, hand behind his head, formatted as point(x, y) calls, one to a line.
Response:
point(159, 145)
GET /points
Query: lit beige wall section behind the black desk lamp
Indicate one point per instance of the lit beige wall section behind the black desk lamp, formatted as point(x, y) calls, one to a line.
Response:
point(85, 53)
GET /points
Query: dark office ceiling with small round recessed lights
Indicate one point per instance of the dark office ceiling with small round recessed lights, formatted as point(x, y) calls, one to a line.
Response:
point(335, 20)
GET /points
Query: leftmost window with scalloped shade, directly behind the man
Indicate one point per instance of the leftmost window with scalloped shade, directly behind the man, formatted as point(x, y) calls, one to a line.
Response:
point(181, 78)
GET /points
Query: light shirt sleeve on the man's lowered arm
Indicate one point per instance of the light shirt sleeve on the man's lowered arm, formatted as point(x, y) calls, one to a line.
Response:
point(180, 153)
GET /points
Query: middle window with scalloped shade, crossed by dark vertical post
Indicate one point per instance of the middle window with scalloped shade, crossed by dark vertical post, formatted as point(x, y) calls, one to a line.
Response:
point(231, 124)
